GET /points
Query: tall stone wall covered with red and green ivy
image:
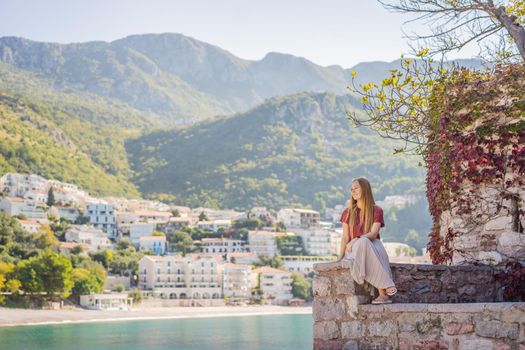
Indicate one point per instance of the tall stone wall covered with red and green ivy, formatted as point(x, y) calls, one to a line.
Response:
point(475, 168)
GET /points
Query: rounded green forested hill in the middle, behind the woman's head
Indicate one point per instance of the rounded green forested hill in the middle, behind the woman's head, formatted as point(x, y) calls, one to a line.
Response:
point(296, 150)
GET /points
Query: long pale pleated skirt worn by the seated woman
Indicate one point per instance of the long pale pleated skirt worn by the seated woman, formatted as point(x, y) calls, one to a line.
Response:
point(369, 262)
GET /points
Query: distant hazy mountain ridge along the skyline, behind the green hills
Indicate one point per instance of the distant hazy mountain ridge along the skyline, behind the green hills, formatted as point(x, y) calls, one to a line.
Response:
point(170, 75)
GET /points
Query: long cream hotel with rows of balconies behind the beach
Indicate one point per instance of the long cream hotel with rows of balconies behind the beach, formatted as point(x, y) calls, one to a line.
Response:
point(177, 277)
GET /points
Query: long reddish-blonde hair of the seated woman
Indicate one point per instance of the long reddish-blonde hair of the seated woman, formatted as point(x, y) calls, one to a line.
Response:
point(366, 215)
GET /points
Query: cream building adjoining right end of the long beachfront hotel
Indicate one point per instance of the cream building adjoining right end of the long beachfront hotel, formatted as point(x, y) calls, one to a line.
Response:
point(236, 281)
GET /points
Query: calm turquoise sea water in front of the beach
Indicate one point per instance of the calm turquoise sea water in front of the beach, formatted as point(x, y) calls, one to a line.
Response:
point(292, 332)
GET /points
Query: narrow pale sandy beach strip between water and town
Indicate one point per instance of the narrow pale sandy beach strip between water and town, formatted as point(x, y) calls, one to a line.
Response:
point(24, 317)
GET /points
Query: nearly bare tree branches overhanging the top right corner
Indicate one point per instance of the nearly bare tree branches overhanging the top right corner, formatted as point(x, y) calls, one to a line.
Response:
point(496, 26)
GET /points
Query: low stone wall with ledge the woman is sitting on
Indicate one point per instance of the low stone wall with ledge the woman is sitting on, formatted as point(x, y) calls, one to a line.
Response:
point(345, 319)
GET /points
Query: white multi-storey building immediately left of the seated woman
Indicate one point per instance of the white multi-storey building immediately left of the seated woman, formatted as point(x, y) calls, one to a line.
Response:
point(318, 241)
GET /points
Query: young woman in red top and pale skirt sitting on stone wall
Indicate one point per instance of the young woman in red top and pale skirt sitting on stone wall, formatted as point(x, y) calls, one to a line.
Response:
point(361, 243)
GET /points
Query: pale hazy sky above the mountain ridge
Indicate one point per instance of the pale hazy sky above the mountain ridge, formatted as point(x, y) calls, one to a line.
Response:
point(343, 32)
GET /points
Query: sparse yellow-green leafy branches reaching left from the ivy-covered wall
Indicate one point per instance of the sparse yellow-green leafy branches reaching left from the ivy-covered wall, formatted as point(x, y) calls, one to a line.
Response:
point(398, 108)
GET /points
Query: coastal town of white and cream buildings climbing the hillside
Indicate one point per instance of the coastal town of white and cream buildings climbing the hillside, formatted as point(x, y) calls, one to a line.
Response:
point(182, 256)
